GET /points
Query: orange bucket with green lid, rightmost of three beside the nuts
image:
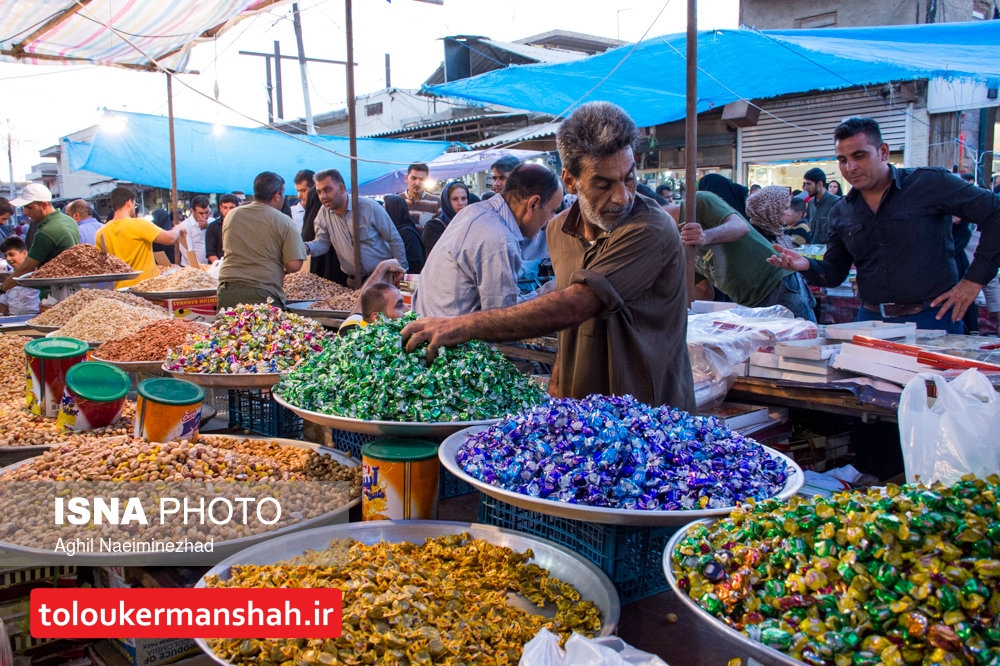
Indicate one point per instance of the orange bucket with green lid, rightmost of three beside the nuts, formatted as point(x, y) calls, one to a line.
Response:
point(168, 410)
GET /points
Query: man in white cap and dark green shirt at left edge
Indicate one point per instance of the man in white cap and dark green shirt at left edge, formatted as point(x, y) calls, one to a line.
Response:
point(56, 231)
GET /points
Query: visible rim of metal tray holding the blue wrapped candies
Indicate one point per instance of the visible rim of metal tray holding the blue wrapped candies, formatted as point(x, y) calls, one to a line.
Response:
point(448, 451)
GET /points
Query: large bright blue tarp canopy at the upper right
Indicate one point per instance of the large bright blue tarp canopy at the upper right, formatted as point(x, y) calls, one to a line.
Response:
point(648, 79)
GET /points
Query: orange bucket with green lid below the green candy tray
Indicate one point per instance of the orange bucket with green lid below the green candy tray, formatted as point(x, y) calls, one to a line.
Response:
point(399, 480)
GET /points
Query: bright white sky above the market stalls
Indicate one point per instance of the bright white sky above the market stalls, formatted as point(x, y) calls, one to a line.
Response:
point(43, 103)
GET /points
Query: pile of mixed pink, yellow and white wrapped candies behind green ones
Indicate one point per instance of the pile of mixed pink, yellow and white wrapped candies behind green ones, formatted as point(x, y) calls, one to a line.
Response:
point(249, 339)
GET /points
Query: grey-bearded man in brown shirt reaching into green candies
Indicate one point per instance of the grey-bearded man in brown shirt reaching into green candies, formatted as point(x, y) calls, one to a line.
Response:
point(620, 306)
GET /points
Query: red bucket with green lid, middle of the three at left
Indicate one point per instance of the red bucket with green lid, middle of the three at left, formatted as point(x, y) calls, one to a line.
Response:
point(94, 396)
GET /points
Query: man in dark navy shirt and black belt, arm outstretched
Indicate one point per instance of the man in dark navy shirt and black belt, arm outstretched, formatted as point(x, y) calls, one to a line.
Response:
point(895, 227)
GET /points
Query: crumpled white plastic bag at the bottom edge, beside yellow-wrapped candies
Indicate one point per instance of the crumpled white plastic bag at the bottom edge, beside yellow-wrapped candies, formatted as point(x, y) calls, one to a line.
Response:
point(544, 650)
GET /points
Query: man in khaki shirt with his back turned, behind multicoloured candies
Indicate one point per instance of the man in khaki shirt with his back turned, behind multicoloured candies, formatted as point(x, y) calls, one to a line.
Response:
point(262, 244)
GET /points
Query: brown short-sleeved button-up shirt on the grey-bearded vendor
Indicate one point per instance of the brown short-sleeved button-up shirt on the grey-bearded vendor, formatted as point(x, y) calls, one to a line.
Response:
point(637, 343)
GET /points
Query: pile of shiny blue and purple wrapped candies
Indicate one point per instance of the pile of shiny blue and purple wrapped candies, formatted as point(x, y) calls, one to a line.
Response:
point(619, 453)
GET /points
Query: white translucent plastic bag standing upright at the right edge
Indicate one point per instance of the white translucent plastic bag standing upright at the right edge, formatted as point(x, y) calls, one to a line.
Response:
point(953, 434)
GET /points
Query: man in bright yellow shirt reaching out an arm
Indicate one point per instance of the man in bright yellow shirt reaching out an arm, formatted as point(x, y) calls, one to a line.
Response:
point(131, 238)
